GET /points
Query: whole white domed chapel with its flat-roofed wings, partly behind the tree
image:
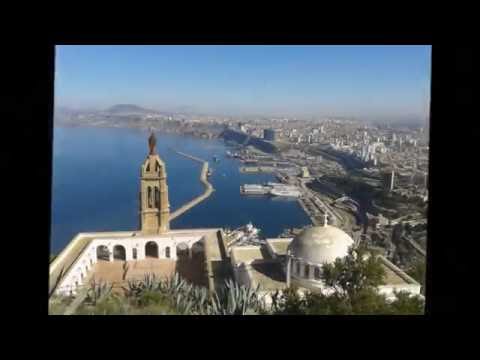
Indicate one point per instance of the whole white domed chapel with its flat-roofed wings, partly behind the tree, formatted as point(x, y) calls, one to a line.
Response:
point(298, 262)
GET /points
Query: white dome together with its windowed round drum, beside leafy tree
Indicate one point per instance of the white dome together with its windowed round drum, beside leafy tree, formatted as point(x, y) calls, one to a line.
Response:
point(312, 248)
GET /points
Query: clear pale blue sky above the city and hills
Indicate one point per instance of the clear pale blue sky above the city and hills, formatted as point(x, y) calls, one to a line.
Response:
point(371, 82)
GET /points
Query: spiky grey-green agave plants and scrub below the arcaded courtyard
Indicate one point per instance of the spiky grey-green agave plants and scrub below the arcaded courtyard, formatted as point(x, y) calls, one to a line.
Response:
point(172, 296)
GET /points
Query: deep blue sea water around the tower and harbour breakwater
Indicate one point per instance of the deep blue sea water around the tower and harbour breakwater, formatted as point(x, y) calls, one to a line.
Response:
point(96, 181)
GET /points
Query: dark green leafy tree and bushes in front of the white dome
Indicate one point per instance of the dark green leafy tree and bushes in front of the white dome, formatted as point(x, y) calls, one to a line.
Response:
point(353, 282)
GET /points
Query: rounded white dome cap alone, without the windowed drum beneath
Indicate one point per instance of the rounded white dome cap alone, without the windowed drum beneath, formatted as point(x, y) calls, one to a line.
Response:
point(320, 244)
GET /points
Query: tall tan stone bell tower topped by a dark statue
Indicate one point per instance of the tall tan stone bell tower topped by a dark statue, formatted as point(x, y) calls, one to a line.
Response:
point(154, 206)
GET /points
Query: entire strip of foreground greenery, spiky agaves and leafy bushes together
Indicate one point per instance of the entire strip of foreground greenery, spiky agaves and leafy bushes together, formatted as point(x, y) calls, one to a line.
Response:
point(353, 283)
